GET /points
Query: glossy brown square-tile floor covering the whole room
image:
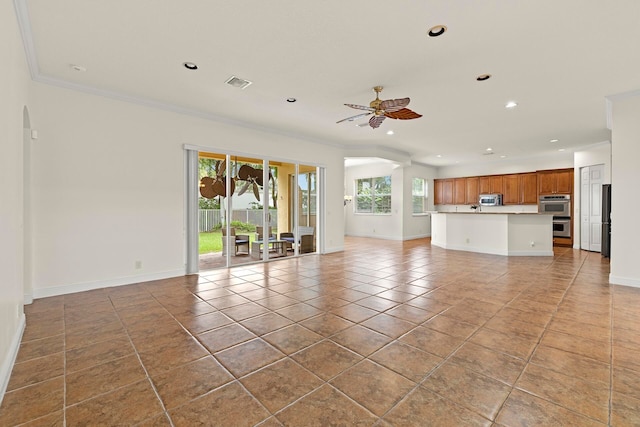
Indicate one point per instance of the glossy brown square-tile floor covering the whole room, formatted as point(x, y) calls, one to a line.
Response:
point(386, 333)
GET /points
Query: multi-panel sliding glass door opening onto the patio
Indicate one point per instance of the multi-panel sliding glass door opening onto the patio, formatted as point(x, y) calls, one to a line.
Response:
point(253, 210)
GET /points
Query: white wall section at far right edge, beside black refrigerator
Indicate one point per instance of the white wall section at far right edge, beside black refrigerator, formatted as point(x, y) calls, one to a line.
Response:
point(625, 200)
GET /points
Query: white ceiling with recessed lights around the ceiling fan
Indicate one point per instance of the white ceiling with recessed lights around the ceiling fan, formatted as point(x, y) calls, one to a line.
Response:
point(558, 59)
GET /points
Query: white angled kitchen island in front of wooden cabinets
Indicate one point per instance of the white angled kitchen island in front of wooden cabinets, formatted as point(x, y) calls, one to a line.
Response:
point(509, 234)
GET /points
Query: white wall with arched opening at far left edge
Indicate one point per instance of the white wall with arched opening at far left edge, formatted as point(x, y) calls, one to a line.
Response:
point(14, 89)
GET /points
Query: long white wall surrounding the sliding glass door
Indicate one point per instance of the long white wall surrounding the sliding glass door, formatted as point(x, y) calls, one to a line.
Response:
point(109, 187)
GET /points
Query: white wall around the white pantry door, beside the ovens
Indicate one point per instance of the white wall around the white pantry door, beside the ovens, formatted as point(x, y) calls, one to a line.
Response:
point(599, 154)
